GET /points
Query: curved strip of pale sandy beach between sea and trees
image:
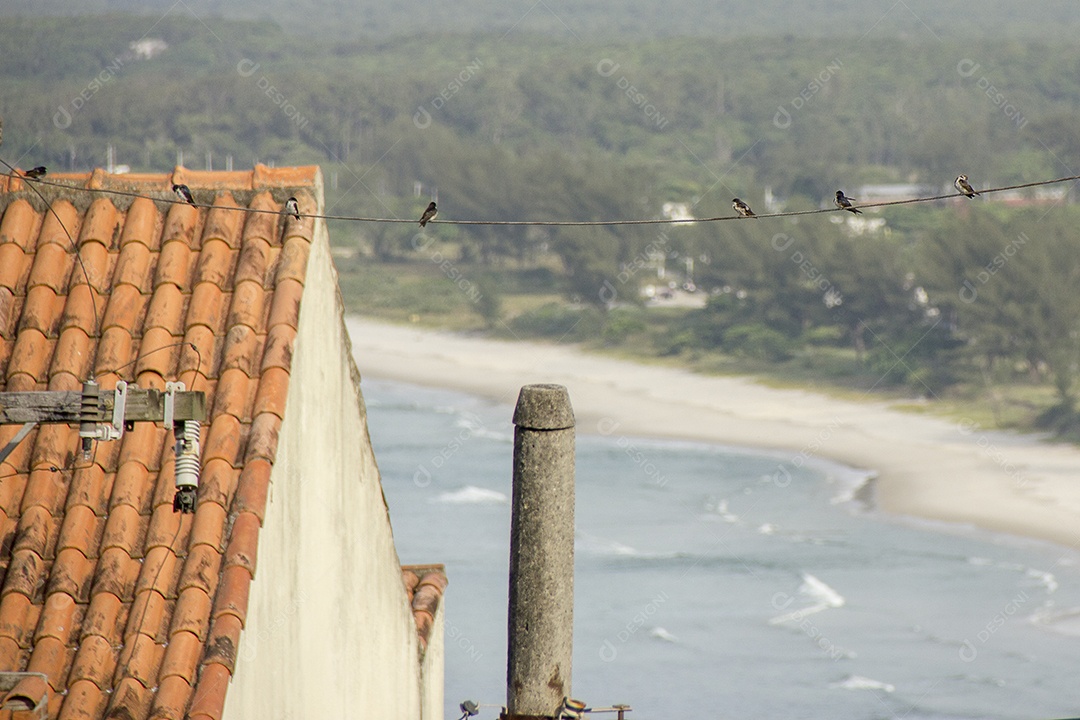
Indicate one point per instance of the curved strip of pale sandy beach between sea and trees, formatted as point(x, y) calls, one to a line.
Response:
point(926, 467)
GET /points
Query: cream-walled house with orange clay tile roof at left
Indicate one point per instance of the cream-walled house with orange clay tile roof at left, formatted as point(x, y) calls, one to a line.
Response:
point(282, 595)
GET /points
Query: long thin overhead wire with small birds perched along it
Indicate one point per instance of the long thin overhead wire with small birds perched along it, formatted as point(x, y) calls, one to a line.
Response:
point(170, 199)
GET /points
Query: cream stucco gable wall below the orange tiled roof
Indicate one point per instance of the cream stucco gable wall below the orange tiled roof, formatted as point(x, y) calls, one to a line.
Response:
point(330, 632)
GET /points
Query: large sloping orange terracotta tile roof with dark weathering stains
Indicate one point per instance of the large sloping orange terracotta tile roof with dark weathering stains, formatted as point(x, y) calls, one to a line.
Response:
point(131, 610)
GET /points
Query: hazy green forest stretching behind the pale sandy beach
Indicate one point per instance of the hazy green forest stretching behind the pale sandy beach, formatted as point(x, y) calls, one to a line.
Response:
point(971, 304)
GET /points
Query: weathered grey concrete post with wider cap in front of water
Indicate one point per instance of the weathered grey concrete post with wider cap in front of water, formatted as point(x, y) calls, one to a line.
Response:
point(542, 554)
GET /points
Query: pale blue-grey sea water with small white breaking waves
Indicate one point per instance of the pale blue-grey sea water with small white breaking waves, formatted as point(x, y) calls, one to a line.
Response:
point(709, 587)
